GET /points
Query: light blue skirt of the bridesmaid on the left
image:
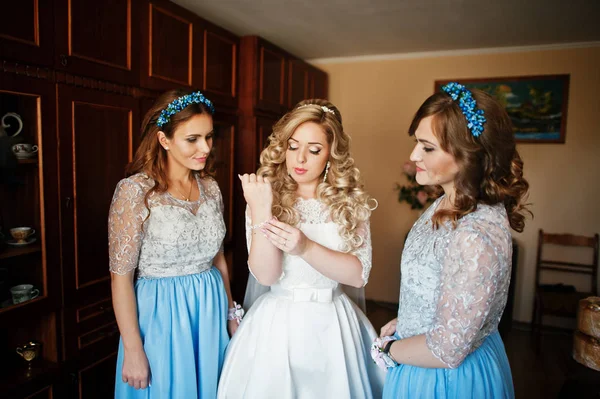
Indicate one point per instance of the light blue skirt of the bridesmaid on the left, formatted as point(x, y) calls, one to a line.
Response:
point(183, 324)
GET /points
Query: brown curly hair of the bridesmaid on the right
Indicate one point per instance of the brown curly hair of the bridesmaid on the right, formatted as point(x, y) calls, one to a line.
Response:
point(490, 168)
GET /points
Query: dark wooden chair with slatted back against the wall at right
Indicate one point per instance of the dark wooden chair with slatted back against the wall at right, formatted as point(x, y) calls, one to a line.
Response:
point(561, 300)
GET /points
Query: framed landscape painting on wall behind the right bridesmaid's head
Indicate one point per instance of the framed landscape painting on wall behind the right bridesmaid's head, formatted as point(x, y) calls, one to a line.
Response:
point(537, 105)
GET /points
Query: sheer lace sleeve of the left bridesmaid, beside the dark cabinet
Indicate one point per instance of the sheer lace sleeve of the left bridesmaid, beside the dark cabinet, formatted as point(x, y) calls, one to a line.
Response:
point(125, 234)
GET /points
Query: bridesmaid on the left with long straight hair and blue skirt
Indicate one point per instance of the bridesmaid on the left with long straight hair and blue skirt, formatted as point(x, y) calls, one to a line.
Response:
point(170, 284)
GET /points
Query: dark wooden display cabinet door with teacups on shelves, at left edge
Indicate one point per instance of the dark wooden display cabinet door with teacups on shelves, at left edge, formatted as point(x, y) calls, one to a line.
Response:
point(28, 189)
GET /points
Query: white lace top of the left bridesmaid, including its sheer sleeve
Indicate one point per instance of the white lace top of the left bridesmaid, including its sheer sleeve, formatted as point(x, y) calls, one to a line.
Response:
point(178, 238)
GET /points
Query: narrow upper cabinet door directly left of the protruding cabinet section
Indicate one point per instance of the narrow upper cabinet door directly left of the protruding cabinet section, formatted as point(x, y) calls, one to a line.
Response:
point(219, 81)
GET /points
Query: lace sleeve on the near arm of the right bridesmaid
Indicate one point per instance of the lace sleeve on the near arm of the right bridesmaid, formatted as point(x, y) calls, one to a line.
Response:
point(471, 274)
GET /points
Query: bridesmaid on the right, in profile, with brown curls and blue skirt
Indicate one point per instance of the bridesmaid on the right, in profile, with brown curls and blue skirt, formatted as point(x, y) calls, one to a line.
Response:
point(457, 257)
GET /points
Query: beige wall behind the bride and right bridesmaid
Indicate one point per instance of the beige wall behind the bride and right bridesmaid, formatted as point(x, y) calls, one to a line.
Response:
point(378, 99)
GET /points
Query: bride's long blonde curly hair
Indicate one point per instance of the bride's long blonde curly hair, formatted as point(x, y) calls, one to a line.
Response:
point(343, 191)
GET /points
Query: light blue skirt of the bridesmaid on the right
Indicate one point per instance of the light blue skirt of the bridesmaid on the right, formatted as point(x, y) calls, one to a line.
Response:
point(484, 374)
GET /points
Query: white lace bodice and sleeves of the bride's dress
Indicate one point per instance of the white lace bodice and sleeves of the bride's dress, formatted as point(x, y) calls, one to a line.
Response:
point(316, 224)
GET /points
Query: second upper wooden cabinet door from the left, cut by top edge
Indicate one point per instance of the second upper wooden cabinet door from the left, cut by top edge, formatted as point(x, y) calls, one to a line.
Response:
point(98, 39)
